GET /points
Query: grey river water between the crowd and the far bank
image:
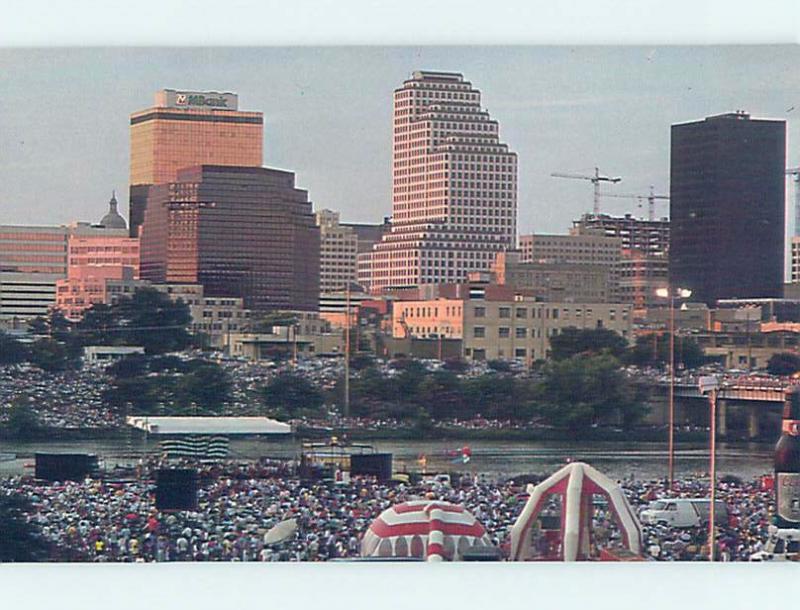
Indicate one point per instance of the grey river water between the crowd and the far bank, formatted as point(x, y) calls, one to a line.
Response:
point(494, 458)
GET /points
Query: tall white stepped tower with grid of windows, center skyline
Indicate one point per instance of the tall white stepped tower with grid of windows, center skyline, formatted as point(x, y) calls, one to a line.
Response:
point(454, 186)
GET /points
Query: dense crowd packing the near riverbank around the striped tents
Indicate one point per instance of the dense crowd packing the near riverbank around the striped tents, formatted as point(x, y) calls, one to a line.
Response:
point(107, 520)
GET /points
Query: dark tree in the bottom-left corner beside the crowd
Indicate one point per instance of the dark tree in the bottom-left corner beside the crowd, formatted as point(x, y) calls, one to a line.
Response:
point(20, 541)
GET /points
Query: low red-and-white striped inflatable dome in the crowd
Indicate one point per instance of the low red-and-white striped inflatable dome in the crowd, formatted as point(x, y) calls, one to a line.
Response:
point(426, 529)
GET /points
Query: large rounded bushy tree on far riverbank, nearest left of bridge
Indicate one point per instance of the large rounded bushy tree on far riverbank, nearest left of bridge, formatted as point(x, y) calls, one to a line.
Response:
point(586, 390)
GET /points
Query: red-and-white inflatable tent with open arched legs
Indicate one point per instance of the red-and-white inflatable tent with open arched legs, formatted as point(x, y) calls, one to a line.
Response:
point(576, 483)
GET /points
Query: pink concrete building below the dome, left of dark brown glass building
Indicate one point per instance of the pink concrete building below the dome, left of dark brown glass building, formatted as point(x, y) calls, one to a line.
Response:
point(92, 261)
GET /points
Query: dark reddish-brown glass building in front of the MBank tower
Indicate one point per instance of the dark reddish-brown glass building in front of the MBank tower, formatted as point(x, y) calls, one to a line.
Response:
point(239, 231)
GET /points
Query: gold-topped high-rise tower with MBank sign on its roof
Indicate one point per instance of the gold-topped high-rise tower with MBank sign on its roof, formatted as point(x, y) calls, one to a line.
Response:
point(186, 128)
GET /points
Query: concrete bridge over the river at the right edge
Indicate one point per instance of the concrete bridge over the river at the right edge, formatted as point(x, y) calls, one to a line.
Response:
point(754, 404)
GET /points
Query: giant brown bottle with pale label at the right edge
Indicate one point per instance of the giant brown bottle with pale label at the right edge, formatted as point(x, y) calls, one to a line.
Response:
point(787, 464)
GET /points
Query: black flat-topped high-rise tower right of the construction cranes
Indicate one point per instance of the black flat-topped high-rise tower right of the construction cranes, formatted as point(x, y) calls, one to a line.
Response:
point(727, 196)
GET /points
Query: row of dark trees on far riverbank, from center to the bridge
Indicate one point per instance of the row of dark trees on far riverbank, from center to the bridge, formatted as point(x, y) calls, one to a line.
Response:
point(575, 392)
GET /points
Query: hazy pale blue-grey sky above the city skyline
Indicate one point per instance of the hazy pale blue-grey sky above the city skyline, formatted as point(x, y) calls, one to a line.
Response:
point(327, 116)
